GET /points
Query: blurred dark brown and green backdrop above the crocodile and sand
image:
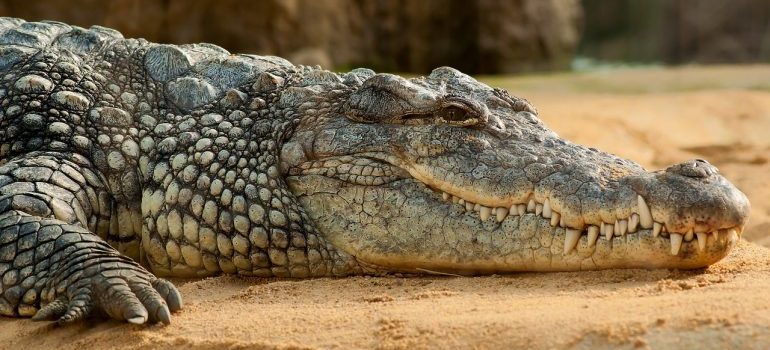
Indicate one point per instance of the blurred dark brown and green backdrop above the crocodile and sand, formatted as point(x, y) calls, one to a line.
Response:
point(478, 37)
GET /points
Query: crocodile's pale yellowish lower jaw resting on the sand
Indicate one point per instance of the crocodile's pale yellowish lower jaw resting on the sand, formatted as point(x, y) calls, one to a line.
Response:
point(446, 239)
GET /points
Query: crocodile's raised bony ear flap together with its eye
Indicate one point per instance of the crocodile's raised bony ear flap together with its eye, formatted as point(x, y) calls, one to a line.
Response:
point(388, 98)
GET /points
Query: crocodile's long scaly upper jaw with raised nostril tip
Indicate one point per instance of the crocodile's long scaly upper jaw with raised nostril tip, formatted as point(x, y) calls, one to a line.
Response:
point(589, 192)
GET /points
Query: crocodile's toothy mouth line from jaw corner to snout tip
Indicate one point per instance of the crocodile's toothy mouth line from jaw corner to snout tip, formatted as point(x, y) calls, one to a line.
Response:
point(375, 169)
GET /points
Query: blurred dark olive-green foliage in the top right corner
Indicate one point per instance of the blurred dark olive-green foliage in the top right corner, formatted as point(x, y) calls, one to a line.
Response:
point(676, 31)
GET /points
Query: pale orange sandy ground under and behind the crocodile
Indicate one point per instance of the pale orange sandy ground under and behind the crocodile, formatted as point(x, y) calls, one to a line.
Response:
point(653, 116)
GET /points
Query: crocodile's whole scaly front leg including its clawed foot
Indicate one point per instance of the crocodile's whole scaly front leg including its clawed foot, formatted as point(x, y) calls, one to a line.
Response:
point(53, 266)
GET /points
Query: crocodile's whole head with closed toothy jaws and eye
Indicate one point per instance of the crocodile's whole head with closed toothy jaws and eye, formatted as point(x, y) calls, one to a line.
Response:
point(444, 173)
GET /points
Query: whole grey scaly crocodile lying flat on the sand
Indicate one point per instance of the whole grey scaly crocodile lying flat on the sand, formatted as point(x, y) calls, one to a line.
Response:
point(124, 161)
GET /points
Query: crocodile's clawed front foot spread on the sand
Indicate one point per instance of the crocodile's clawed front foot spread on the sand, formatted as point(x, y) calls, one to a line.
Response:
point(129, 293)
